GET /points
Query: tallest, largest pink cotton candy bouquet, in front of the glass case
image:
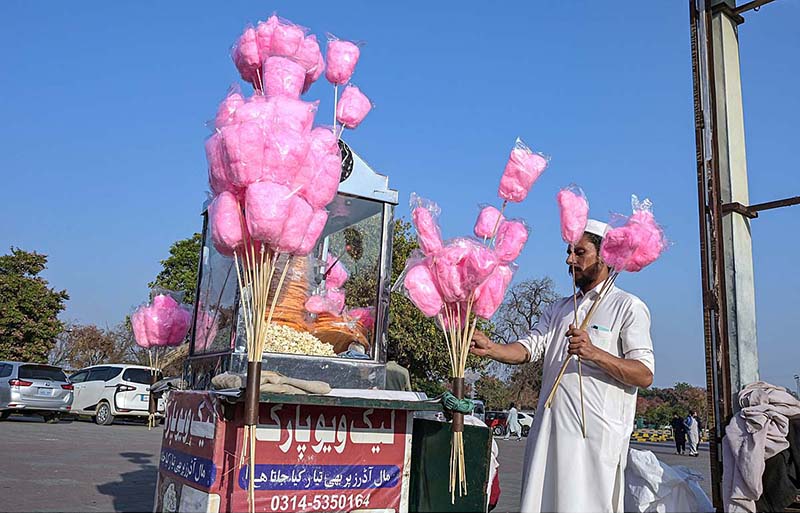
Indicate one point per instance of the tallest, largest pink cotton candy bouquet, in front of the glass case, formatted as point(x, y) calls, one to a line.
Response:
point(272, 173)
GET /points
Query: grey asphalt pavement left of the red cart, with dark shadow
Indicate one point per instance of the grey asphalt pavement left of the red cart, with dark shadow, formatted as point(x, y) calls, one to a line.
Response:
point(77, 466)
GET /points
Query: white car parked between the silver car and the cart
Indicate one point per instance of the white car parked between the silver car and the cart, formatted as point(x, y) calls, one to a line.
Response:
point(113, 390)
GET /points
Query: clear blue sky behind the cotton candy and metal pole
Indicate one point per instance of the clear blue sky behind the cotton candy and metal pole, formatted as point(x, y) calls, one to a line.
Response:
point(104, 103)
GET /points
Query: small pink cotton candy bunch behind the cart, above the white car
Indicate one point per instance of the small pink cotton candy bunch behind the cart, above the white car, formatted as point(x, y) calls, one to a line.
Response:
point(162, 323)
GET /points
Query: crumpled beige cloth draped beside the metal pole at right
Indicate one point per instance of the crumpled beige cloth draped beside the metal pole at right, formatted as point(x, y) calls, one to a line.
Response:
point(757, 432)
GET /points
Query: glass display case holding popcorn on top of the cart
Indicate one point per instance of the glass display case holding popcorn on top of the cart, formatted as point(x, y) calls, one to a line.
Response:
point(330, 320)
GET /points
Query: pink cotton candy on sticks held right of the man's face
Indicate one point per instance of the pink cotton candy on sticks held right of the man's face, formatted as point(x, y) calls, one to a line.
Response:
point(630, 245)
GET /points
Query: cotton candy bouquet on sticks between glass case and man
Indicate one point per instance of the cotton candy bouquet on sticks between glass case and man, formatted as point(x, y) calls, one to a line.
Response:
point(460, 280)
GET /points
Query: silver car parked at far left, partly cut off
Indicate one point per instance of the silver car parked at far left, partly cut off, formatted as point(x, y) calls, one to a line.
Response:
point(35, 388)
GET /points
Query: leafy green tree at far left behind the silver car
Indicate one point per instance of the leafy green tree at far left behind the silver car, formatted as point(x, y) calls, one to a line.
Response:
point(29, 308)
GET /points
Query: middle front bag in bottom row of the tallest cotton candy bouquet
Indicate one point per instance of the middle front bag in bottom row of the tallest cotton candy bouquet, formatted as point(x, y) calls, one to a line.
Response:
point(266, 209)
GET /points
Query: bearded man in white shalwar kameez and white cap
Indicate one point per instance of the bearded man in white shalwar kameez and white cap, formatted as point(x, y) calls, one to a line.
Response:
point(564, 471)
